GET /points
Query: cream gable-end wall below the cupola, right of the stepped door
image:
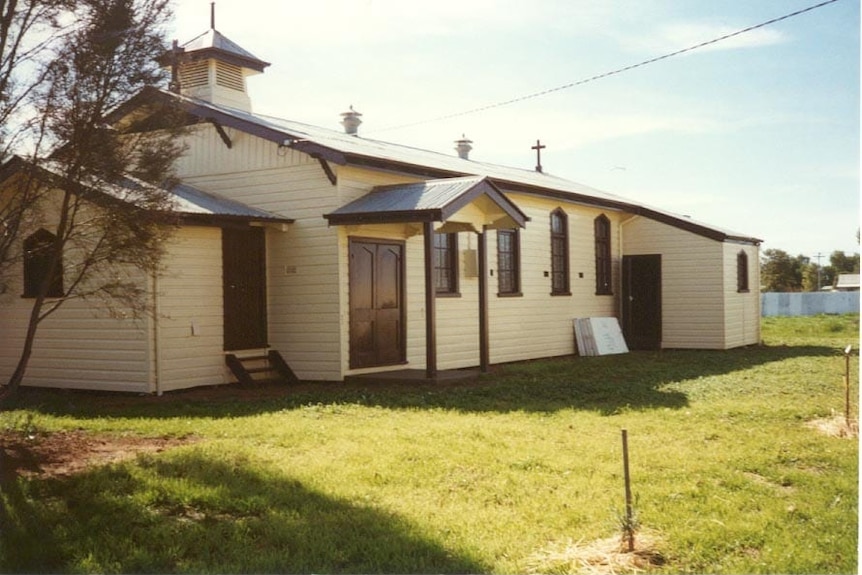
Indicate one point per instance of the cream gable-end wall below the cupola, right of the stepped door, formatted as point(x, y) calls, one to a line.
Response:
point(302, 272)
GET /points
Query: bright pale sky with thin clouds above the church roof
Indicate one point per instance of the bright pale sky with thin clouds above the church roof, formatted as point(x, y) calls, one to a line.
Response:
point(757, 134)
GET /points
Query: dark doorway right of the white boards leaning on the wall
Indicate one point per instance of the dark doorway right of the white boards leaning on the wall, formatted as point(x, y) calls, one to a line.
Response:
point(642, 301)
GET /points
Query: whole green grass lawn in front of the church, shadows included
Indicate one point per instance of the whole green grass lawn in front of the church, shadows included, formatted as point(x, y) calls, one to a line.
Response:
point(515, 473)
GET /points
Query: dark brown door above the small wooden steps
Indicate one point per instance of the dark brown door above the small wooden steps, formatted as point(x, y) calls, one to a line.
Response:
point(244, 275)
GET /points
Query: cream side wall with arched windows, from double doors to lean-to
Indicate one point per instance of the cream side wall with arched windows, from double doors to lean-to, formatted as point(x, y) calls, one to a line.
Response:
point(532, 325)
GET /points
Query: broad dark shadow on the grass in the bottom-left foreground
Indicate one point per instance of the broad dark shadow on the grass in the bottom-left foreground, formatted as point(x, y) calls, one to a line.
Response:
point(189, 512)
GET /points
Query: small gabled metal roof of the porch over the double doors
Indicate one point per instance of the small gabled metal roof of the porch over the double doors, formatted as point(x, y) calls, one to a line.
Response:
point(428, 201)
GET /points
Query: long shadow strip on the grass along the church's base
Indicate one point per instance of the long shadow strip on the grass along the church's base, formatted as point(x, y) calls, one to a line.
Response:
point(607, 384)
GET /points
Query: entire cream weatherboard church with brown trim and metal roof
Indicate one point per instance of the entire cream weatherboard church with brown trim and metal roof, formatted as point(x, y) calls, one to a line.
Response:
point(334, 255)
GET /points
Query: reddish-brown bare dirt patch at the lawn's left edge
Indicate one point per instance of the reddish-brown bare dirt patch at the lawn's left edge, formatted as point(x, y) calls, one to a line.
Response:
point(64, 453)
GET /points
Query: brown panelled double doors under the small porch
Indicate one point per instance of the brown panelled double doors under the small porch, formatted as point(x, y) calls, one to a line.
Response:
point(376, 303)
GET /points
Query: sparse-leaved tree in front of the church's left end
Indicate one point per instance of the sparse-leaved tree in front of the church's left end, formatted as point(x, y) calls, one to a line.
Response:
point(100, 190)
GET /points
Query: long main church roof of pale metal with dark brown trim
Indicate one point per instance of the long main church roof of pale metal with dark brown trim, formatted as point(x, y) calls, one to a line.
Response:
point(344, 149)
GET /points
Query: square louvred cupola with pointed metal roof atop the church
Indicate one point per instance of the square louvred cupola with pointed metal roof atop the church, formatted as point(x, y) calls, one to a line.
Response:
point(213, 68)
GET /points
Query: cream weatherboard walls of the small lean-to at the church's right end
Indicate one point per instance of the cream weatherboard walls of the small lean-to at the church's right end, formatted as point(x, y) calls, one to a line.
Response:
point(700, 302)
